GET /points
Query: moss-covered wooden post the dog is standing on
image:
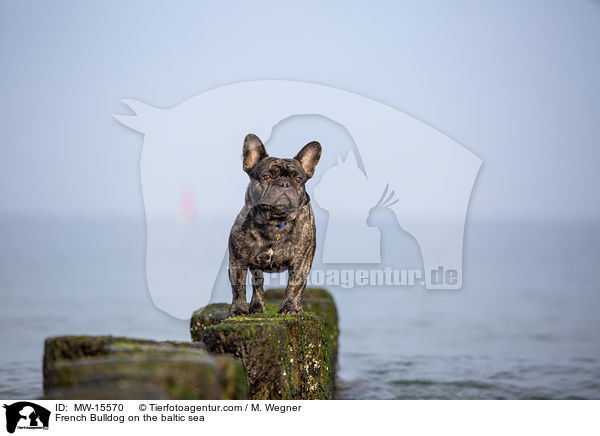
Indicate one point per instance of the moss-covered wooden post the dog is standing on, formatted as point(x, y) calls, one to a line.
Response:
point(285, 356)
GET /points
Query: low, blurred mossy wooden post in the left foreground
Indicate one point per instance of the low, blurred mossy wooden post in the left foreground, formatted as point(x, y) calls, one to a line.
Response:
point(106, 367)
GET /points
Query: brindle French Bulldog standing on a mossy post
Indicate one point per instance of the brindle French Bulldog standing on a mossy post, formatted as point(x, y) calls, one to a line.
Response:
point(275, 230)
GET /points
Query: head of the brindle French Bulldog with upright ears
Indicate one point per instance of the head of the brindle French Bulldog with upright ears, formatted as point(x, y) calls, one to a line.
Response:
point(276, 191)
